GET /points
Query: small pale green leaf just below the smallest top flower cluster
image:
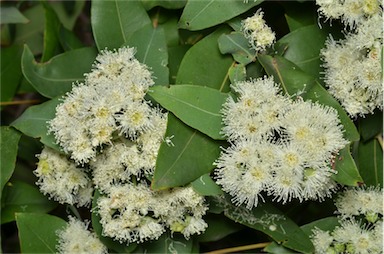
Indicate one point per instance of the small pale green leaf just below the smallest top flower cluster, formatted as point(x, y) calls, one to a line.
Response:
point(237, 45)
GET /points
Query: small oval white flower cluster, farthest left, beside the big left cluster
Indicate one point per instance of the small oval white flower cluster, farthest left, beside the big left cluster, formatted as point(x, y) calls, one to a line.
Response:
point(62, 180)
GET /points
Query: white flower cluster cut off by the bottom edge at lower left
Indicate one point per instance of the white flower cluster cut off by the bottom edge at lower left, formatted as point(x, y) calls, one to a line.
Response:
point(75, 238)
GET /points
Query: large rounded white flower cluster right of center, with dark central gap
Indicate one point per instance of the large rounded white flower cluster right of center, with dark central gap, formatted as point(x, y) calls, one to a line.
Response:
point(279, 146)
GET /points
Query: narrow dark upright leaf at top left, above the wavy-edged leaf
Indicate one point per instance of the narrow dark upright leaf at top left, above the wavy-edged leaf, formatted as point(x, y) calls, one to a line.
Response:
point(52, 26)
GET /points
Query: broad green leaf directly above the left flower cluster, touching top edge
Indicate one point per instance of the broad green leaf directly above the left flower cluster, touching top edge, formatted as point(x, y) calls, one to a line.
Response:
point(114, 22)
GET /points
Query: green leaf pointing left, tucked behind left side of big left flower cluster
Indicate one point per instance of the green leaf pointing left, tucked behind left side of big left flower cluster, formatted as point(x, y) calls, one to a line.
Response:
point(33, 122)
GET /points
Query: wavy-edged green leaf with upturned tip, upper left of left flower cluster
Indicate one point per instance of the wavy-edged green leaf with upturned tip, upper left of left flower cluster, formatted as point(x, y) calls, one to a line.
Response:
point(56, 76)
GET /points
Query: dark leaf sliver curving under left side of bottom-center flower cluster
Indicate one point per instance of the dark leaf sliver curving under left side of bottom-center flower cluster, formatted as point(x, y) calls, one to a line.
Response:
point(111, 244)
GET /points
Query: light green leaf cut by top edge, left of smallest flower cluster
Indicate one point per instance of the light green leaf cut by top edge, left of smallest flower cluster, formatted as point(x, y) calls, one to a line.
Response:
point(198, 15)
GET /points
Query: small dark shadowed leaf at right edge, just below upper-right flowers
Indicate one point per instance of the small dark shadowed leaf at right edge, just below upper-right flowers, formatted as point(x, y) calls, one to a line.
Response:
point(371, 125)
